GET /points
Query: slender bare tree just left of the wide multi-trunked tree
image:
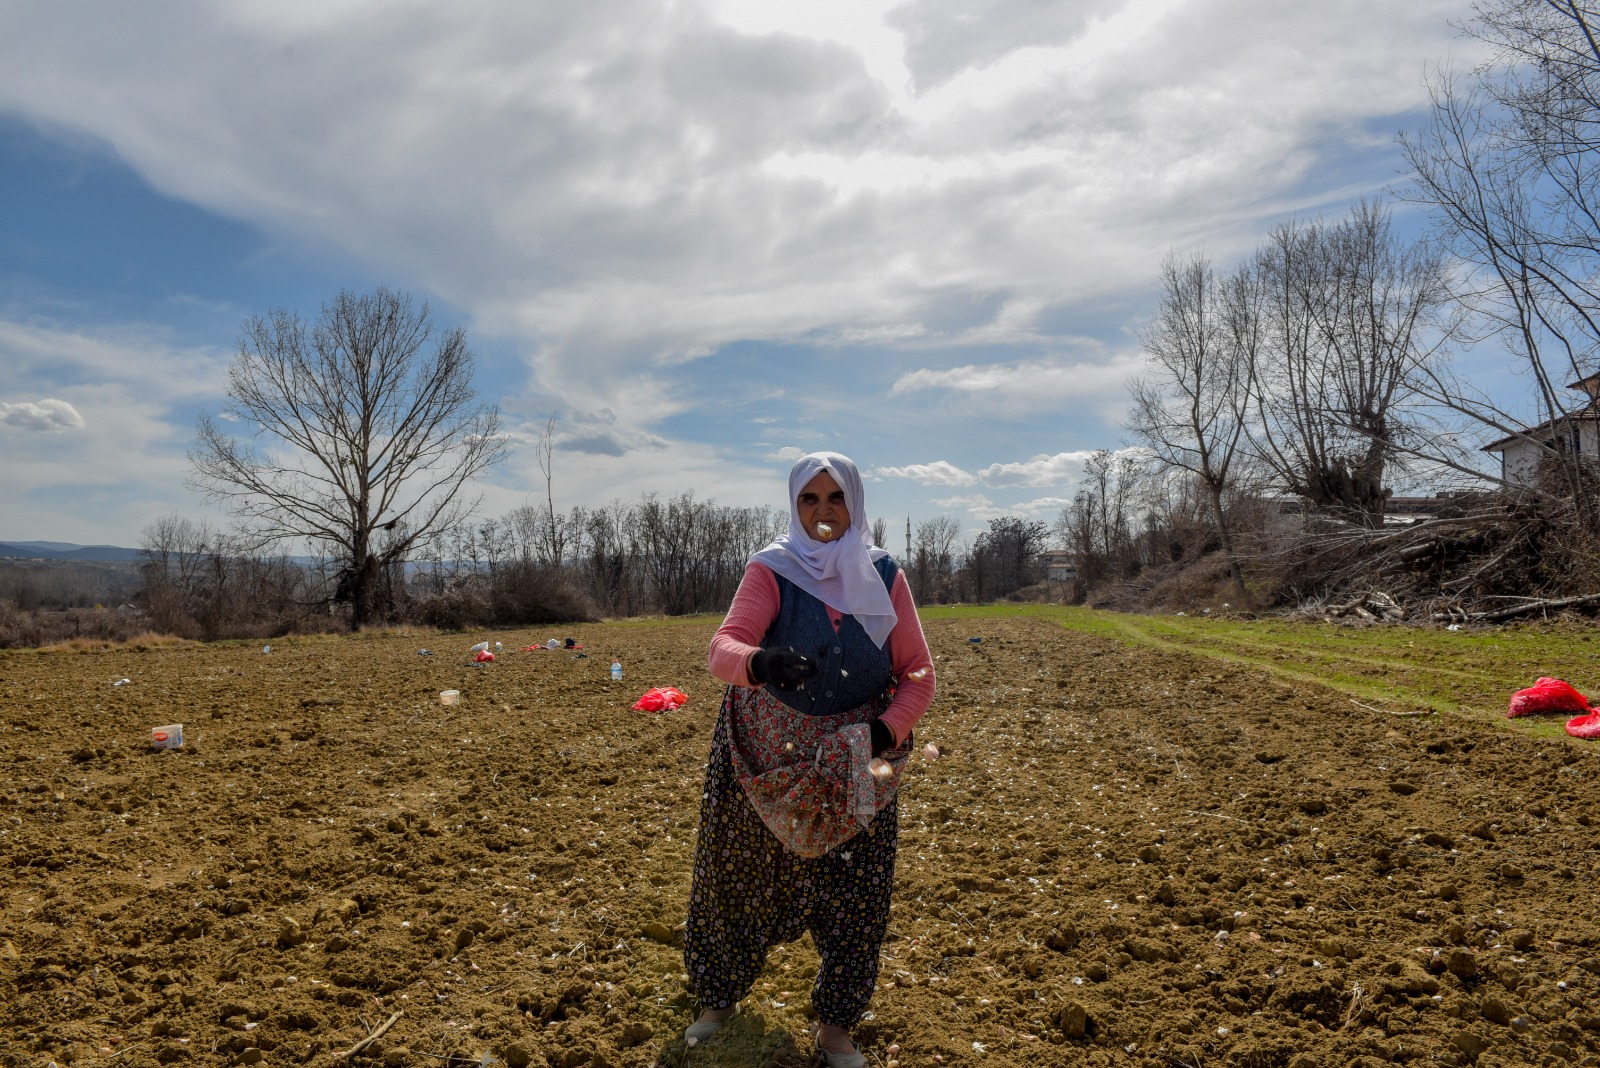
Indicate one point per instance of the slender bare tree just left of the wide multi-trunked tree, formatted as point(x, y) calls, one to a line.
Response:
point(1193, 404)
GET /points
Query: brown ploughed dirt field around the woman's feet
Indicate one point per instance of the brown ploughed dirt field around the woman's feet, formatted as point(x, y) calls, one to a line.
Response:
point(1126, 858)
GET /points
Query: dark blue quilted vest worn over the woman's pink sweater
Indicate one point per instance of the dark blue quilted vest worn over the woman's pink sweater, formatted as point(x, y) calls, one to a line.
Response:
point(854, 671)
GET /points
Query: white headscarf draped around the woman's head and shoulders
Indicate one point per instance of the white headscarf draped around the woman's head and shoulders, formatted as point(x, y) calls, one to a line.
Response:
point(838, 573)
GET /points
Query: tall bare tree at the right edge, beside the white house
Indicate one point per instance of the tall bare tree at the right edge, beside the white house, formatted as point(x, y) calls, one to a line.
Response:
point(1511, 167)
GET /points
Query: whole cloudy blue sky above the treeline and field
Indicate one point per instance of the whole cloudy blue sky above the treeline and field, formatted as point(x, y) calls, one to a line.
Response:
point(706, 236)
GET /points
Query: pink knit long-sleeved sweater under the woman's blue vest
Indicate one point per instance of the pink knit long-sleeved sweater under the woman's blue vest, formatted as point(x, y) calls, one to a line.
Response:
point(754, 610)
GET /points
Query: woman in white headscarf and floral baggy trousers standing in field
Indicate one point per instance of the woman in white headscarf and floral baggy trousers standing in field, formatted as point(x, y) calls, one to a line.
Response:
point(828, 672)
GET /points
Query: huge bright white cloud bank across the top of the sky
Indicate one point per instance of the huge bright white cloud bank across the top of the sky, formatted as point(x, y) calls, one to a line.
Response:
point(734, 169)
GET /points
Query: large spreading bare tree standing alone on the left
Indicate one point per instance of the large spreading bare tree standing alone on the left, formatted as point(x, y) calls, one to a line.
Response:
point(367, 431)
